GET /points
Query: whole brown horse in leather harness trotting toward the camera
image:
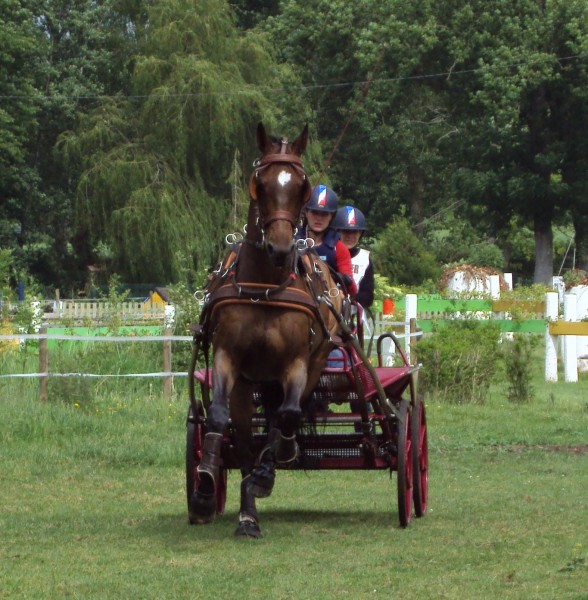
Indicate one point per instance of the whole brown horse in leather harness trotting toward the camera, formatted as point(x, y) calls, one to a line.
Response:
point(270, 327)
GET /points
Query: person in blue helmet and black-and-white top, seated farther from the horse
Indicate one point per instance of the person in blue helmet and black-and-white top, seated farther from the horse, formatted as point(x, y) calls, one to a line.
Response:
point(351, 224)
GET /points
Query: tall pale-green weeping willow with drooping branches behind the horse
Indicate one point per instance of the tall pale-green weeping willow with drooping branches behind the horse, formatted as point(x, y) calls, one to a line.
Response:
point(154, 166)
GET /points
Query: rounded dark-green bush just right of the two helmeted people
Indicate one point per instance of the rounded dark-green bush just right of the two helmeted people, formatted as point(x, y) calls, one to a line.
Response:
point(401, 257)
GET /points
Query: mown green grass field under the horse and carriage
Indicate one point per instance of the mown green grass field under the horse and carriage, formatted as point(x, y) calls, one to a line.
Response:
point(92, 505)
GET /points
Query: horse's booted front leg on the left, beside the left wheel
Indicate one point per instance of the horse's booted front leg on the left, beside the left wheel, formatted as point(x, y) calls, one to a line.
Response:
point(203, 501)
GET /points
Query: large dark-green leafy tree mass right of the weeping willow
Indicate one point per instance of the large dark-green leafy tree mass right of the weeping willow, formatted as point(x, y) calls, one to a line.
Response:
point(465, 109)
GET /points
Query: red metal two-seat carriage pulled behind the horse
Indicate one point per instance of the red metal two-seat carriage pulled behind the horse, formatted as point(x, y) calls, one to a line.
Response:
point(388, 431)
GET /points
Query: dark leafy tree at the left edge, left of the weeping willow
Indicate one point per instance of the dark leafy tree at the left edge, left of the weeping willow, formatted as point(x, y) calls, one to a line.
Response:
point(68, 55)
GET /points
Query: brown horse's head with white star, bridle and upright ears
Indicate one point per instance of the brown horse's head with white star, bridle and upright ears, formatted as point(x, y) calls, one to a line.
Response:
point(279, 189)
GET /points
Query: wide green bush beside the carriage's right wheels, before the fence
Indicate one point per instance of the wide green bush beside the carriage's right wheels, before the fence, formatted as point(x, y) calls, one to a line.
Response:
point(460, 361)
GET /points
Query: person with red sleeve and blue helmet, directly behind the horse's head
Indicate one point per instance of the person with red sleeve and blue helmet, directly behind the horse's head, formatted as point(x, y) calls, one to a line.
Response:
point(319, 213)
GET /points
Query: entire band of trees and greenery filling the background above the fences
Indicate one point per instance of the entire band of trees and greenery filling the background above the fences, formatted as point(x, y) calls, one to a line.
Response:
point(127, 129)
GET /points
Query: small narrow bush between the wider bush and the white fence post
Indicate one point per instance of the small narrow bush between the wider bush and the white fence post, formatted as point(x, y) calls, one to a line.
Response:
point(517, 354)
